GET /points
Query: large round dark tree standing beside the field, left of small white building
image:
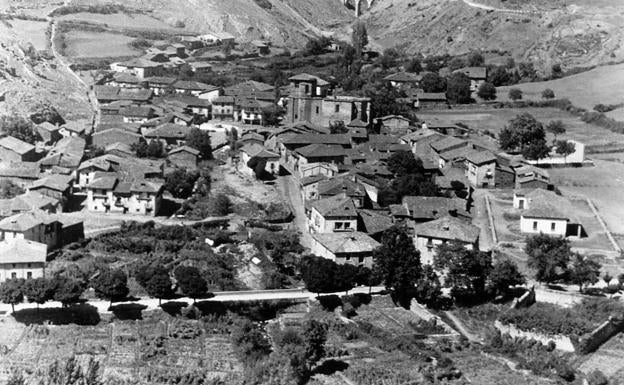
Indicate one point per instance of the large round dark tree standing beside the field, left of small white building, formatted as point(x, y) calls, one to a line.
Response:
point(521, 131)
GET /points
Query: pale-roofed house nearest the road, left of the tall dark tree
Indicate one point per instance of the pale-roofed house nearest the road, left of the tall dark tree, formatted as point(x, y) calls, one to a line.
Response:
point(355, 248)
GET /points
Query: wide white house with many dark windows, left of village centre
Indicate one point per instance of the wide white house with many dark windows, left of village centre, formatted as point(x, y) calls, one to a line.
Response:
point(108, 193)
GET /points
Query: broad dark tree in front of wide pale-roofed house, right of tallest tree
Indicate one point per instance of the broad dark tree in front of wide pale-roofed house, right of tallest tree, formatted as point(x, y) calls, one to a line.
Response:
point(466, 270)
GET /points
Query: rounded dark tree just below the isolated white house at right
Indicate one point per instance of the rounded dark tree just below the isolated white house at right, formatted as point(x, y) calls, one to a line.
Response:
point(549, 256)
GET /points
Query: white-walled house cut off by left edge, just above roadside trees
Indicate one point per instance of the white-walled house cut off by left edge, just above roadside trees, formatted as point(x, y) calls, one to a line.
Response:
point(22, 259)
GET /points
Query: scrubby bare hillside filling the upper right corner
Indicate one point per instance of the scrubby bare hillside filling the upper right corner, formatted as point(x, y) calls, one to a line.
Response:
point(571, 32)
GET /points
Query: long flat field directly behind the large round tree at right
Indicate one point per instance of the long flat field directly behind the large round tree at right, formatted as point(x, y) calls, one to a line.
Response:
point(493, 120)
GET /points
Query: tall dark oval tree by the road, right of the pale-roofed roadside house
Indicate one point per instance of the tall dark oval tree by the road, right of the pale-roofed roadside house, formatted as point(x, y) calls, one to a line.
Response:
point(398, 263)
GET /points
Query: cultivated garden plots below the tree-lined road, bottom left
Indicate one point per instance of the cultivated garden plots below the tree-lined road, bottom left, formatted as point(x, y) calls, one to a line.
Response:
point(152, 350)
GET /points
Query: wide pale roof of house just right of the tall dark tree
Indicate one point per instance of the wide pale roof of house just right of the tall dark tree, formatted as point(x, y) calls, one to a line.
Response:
point(448, 228)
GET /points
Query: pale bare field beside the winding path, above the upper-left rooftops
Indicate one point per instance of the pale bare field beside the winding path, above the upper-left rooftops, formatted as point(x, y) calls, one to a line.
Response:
point(83, 44)
